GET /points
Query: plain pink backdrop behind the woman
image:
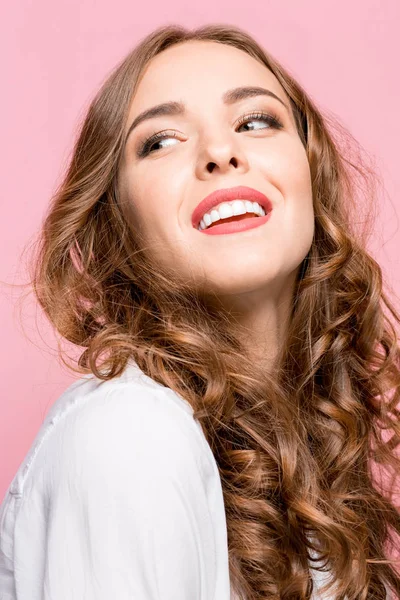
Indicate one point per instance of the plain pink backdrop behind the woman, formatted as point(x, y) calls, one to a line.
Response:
point(55, 54)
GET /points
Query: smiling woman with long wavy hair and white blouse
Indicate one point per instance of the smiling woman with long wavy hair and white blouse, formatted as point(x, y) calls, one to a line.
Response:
point(241, 376)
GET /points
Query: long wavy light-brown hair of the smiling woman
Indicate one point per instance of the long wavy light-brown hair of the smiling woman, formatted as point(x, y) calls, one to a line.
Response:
point(306, 455)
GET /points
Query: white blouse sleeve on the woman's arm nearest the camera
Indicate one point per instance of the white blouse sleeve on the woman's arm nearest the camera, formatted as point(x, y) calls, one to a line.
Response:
point(128, 515)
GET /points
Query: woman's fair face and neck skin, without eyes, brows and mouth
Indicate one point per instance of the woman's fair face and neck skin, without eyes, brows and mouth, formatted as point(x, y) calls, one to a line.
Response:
point(253, 272)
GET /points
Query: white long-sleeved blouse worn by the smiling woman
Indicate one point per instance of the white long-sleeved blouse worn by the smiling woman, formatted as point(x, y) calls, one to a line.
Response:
point(118, 497)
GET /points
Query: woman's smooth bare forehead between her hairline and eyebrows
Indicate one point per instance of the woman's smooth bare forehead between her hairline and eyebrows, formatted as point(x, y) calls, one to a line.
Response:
point(200, 70)
